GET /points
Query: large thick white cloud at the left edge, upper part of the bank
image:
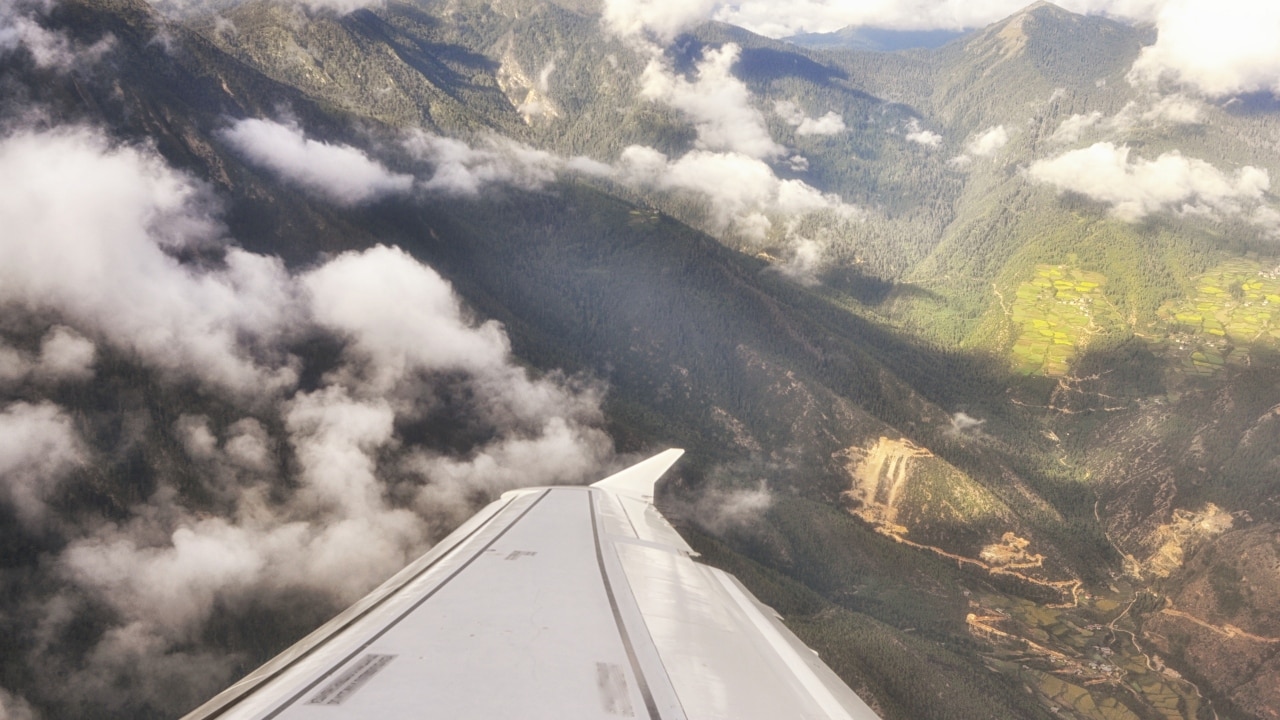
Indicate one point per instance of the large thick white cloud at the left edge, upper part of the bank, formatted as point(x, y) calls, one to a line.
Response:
point(88, 227)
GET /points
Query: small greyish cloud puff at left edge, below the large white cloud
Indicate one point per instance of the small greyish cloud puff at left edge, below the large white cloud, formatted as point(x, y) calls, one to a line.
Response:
point(39, 446)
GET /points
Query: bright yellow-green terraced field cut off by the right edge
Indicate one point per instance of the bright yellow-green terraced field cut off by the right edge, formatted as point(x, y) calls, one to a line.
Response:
point(1236, 308)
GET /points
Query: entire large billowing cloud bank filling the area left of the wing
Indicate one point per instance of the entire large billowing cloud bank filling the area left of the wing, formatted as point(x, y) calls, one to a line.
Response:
point(326, 490)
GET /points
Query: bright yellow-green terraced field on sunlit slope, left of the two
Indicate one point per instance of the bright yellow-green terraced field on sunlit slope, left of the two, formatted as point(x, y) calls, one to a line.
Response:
point(1057, 313)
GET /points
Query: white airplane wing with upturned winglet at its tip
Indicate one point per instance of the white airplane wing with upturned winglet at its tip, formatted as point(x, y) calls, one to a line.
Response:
point(559, 604)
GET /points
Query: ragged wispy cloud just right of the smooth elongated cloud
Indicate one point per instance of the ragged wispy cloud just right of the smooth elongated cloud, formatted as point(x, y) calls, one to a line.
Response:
point(465, 171)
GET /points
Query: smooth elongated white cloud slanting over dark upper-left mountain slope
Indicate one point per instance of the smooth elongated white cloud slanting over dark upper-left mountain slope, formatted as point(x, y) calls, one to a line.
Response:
point(340, 174)
